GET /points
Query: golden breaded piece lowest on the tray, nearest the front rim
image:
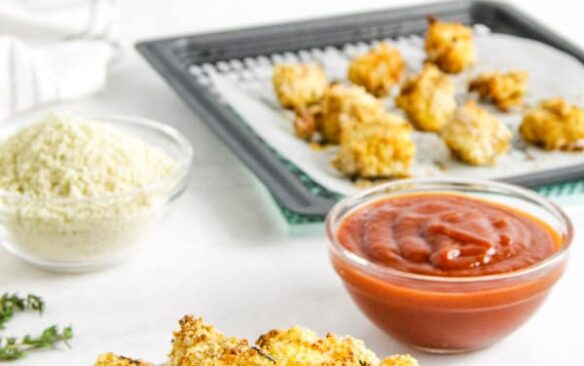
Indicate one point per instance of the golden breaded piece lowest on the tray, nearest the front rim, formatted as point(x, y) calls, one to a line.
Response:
point(379, 147)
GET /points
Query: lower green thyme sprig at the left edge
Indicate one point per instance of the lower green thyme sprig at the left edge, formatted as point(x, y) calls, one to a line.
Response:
point(12, 348)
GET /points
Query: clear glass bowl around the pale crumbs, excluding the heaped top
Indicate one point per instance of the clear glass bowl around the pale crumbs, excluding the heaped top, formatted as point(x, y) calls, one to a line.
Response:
point(73, 235)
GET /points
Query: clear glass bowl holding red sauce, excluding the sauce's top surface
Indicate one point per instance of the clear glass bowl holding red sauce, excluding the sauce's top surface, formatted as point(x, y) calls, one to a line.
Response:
point(441, 314)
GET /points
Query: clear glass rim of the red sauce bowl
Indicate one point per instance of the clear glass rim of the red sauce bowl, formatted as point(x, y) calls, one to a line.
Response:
point(333, 221)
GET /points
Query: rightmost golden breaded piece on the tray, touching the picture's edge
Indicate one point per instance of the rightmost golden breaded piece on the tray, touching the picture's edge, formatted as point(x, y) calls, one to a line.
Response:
point(554, 124)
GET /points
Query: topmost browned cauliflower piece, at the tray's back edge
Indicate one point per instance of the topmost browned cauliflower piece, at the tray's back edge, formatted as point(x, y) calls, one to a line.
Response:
point(450, 46)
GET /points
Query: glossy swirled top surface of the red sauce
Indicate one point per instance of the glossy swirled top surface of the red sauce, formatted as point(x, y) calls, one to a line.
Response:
point(447, 235)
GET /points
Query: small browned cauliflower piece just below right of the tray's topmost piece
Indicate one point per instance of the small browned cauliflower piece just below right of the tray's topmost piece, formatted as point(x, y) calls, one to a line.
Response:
point(505, 90)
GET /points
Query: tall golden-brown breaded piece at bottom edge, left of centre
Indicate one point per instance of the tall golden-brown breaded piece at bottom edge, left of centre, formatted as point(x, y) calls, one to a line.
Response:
point(199, 344)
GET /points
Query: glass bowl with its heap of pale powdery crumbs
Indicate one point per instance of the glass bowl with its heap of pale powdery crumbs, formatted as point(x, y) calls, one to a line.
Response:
point(80, 193)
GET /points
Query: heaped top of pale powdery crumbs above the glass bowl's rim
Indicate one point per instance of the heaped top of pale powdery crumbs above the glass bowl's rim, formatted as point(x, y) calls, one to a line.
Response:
point(66, 157)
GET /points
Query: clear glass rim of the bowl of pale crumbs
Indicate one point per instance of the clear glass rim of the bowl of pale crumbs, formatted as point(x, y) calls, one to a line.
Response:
point(180, 171)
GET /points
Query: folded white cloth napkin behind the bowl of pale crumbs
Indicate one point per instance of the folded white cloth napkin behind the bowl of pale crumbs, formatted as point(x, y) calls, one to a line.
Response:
point(53, 50)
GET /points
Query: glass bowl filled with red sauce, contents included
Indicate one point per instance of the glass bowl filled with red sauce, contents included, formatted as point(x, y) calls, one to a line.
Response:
point(448, 265)
